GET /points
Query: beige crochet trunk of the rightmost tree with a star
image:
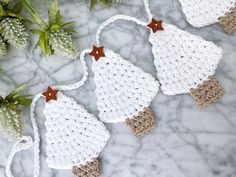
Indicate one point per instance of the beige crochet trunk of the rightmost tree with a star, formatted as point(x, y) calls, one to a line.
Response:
point(208, 92)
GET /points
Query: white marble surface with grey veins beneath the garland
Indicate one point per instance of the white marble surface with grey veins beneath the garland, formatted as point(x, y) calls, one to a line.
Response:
point(189, 141)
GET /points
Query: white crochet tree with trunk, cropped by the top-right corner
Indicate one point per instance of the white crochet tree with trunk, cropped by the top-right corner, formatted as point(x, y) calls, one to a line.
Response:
point(201, 13)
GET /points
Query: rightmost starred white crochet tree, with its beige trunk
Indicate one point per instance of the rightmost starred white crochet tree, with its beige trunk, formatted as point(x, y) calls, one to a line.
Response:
point(186, 63)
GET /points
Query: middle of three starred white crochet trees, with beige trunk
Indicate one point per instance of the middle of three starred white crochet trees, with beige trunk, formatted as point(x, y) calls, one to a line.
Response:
point(124, 91)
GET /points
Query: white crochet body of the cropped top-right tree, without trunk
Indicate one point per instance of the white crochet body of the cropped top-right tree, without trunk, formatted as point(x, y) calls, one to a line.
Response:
point(201, 13)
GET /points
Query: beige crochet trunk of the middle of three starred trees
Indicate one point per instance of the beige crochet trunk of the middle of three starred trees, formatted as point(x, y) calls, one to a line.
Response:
point(143, 123)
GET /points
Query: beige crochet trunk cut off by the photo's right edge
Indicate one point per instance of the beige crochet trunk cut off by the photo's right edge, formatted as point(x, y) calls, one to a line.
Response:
point(228, 21)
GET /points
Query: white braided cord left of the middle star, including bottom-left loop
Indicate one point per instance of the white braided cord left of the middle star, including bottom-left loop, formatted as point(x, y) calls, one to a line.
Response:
point(34, 122)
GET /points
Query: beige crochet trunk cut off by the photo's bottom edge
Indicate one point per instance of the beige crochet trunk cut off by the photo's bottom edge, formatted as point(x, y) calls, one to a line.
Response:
point(91, 169)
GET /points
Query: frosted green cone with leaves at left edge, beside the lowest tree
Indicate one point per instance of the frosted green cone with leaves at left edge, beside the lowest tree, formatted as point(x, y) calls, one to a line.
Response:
point(11, 121)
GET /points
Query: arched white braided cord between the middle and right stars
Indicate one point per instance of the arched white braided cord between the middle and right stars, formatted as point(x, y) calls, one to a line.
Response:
point(113, 19)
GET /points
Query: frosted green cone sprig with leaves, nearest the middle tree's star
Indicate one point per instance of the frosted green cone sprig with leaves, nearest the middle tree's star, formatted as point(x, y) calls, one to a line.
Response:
point(54, 34)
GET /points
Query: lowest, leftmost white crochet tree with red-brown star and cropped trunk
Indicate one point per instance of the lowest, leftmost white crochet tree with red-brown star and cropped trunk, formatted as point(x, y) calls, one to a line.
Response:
point(74, 137)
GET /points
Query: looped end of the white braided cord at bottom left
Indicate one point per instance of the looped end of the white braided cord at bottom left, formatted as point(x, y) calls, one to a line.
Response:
point(22, 144)
